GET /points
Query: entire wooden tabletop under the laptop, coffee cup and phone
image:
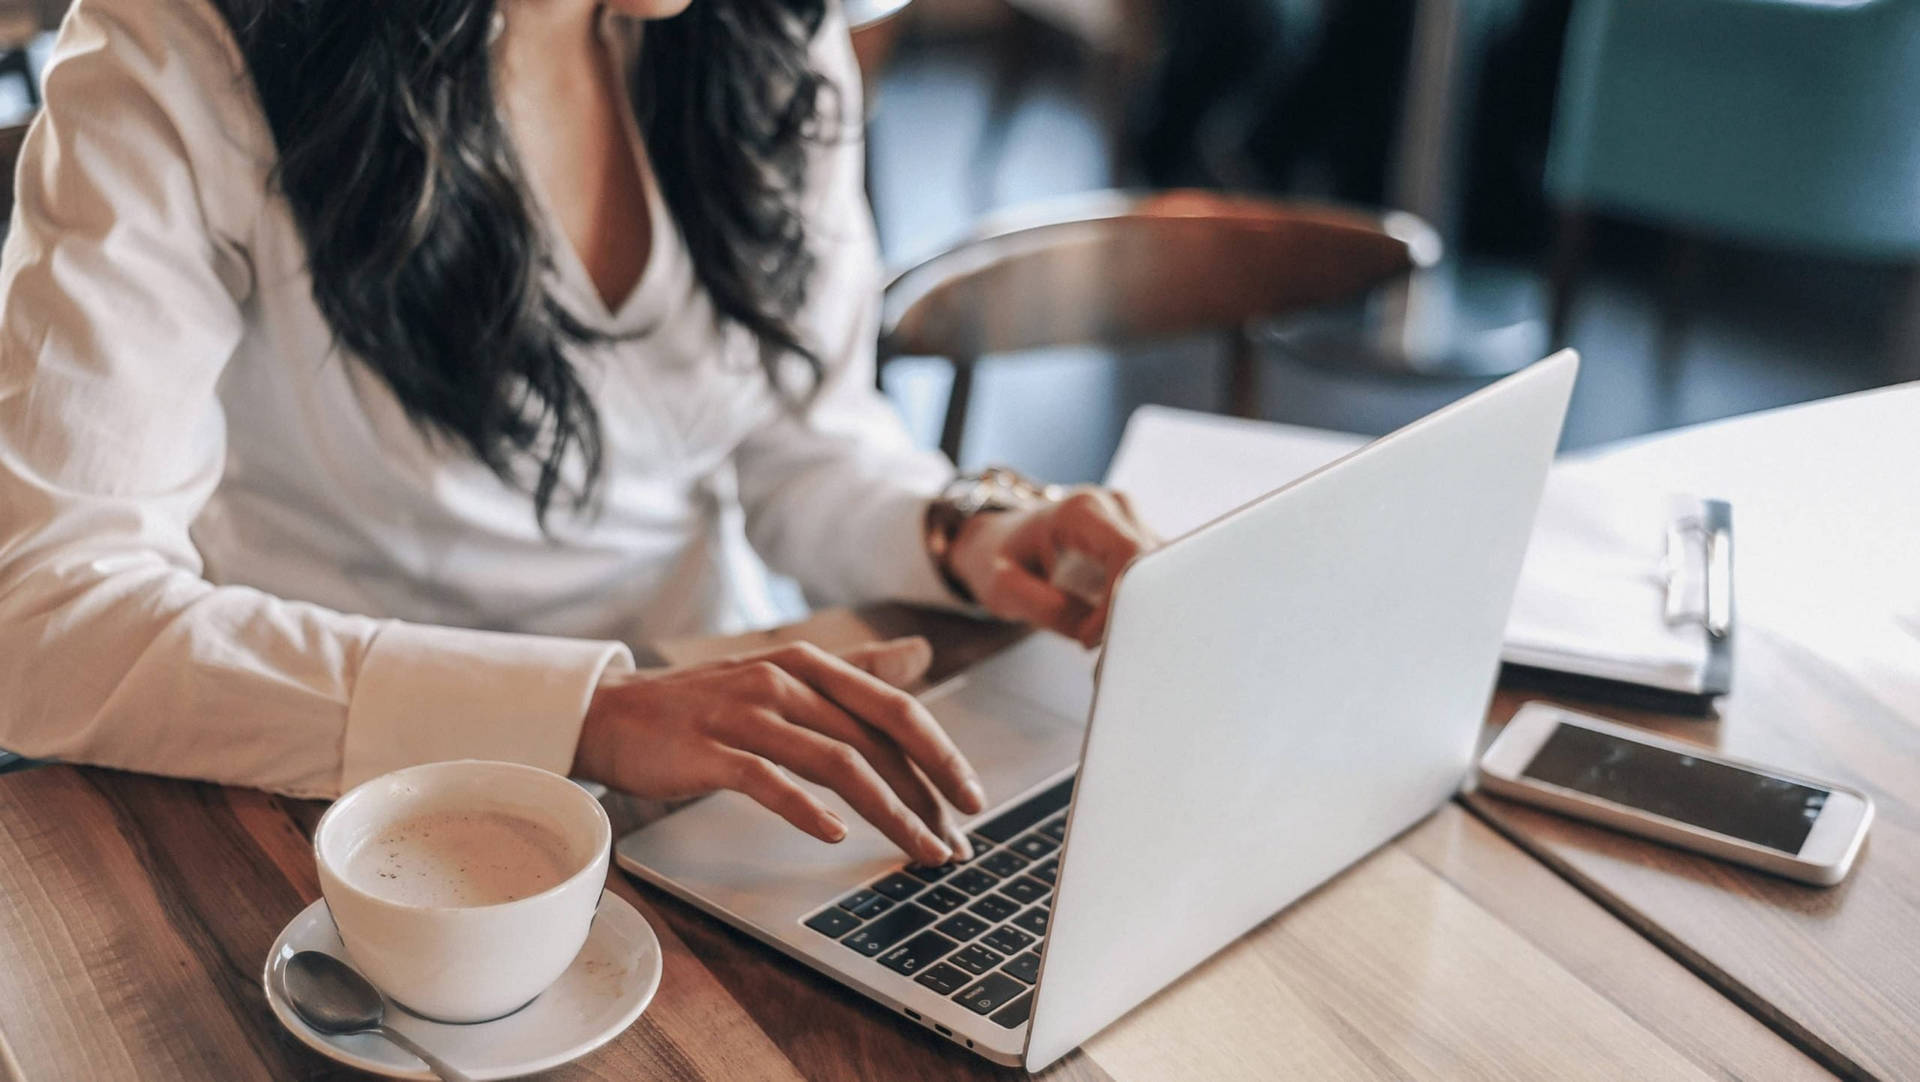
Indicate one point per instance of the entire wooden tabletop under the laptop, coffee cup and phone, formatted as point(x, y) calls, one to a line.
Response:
point(1487, 943)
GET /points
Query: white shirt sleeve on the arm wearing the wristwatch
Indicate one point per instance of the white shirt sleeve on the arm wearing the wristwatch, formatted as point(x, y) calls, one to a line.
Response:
point(836, 498)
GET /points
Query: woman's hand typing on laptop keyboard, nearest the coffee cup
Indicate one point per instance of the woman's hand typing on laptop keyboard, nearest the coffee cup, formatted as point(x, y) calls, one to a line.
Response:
point(834, 720)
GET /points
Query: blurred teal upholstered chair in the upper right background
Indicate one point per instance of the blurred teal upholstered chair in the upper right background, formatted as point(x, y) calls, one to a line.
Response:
point(1788, 124)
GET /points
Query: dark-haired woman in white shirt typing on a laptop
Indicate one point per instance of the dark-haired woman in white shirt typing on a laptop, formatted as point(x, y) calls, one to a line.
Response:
point(372, 371)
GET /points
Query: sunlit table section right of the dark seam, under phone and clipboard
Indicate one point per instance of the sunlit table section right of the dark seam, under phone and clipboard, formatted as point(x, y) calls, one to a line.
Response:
point(1827, 682)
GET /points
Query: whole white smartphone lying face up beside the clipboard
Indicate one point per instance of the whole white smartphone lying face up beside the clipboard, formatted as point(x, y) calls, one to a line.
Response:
point(1677, 793)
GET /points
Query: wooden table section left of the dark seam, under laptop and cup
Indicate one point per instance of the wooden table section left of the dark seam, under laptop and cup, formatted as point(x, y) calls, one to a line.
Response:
point(135, 916)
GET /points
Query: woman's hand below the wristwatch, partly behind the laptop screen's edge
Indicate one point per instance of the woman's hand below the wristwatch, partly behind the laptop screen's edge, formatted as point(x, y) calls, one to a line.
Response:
point(1009, 561)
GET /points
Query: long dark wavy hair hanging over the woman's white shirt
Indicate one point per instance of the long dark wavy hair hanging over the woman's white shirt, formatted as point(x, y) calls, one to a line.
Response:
point(423, 250)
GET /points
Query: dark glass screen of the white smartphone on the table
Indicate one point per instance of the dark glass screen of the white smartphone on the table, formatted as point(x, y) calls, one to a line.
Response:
point(1731, 801)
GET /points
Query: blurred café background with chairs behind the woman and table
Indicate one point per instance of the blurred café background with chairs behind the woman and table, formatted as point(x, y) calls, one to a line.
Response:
point(1716, 200)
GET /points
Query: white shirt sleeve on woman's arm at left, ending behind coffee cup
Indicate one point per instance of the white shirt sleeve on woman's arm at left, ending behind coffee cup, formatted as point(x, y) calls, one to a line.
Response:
point(122, 300)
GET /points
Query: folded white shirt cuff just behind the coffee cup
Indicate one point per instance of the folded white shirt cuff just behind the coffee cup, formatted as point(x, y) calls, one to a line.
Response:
point(450, 694)
